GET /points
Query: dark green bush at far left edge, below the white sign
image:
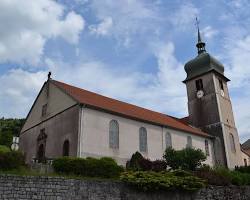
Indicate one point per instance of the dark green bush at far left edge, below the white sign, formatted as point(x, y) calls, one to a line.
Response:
point(11, 160)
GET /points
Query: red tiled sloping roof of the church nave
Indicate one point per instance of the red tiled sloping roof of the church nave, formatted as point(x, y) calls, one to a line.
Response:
point(96, 101)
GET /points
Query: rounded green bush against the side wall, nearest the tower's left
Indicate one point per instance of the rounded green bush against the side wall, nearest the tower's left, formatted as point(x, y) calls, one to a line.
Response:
point(186, 159)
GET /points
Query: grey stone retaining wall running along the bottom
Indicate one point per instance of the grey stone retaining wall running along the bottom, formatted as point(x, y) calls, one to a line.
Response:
point(53, 188)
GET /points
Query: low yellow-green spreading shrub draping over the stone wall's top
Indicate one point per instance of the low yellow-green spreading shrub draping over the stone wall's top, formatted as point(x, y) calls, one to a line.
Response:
point(153, 181)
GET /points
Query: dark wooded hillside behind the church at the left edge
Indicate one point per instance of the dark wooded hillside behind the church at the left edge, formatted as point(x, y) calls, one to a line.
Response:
point(8, 129)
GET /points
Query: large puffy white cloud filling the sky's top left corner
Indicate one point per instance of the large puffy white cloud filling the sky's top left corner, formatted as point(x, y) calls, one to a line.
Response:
point(26, 25)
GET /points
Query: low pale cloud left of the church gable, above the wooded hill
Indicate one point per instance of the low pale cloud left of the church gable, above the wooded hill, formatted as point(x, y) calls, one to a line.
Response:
point(18, 89)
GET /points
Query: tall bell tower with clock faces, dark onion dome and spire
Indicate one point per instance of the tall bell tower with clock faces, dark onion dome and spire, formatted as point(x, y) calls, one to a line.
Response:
point(209, 105)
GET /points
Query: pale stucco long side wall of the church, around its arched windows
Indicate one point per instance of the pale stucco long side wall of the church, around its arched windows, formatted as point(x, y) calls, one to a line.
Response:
point(94, 138)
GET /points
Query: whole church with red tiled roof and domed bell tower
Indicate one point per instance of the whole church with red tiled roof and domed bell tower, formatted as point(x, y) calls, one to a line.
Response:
point(68, 121)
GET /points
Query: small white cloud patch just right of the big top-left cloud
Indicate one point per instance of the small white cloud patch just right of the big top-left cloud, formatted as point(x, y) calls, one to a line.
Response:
point(103, 28)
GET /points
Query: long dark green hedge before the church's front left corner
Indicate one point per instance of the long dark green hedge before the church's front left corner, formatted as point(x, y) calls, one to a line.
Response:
point(90, 167)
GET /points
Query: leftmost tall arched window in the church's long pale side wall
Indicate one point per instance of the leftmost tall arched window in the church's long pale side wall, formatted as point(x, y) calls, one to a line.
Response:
point(113, 134)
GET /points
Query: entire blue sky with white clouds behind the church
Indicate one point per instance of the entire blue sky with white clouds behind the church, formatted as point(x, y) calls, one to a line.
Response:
point(132, 50)
